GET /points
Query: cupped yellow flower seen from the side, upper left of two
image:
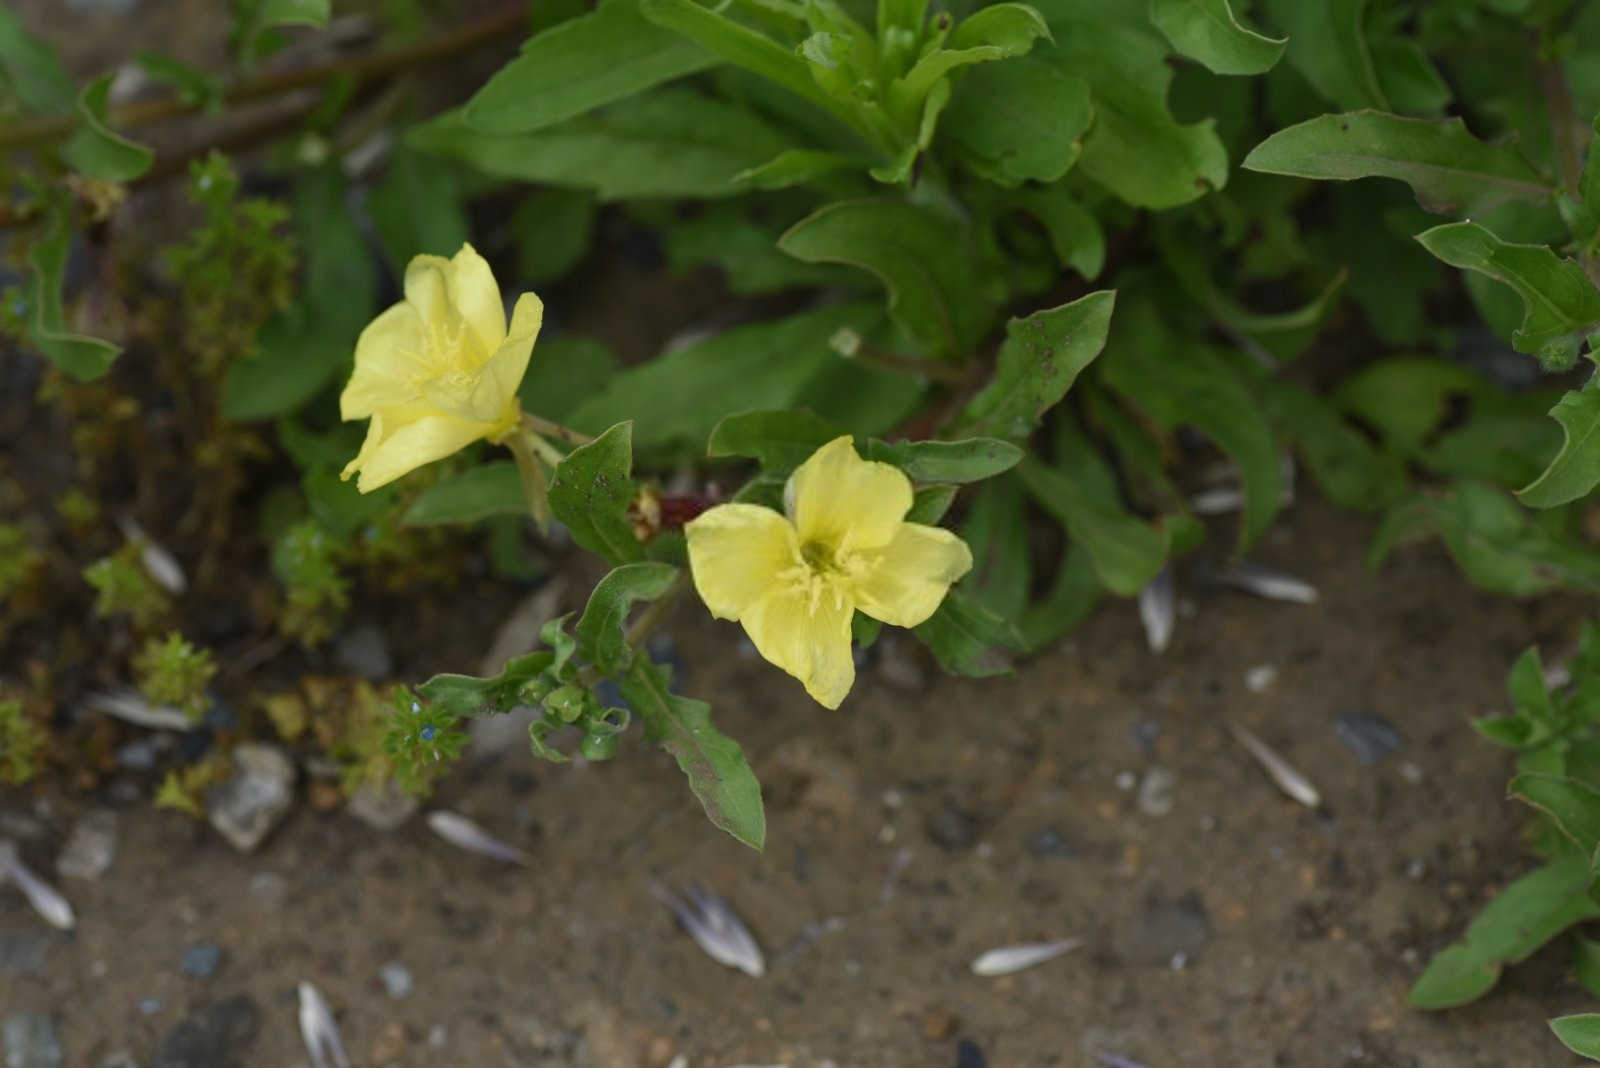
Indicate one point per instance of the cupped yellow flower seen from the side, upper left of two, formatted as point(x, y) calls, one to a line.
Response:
point(439, 370)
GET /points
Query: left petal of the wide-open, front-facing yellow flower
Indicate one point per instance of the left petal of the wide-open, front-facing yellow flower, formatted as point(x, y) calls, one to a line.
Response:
point(737, 554)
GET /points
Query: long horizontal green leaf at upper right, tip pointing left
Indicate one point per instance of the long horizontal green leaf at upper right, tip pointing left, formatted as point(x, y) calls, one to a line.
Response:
point(1447, 169)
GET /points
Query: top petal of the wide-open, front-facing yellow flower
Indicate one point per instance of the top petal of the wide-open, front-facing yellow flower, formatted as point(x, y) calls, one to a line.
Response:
point(846, 503)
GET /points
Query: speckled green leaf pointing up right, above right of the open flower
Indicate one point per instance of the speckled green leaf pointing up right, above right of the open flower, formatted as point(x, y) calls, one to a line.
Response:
point(1039, 362)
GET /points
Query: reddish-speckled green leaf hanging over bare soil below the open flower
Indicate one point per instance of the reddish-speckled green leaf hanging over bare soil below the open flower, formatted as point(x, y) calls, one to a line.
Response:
point(714, 763)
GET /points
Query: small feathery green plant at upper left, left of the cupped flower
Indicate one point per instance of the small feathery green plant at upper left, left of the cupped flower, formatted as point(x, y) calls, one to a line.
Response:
point(236, 271)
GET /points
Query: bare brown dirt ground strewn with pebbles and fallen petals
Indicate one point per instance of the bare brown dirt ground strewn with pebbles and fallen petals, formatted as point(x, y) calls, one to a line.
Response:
point(908, 834)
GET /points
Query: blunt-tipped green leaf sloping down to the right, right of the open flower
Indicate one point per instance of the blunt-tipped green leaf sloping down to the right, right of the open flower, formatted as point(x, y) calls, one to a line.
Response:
point(1126, 551)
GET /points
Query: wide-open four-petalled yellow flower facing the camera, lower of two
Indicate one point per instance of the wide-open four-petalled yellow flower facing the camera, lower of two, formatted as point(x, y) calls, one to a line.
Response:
point(796, 581)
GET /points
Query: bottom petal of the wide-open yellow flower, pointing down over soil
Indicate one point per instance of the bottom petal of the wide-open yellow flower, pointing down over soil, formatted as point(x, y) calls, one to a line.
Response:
point(809, 640)
